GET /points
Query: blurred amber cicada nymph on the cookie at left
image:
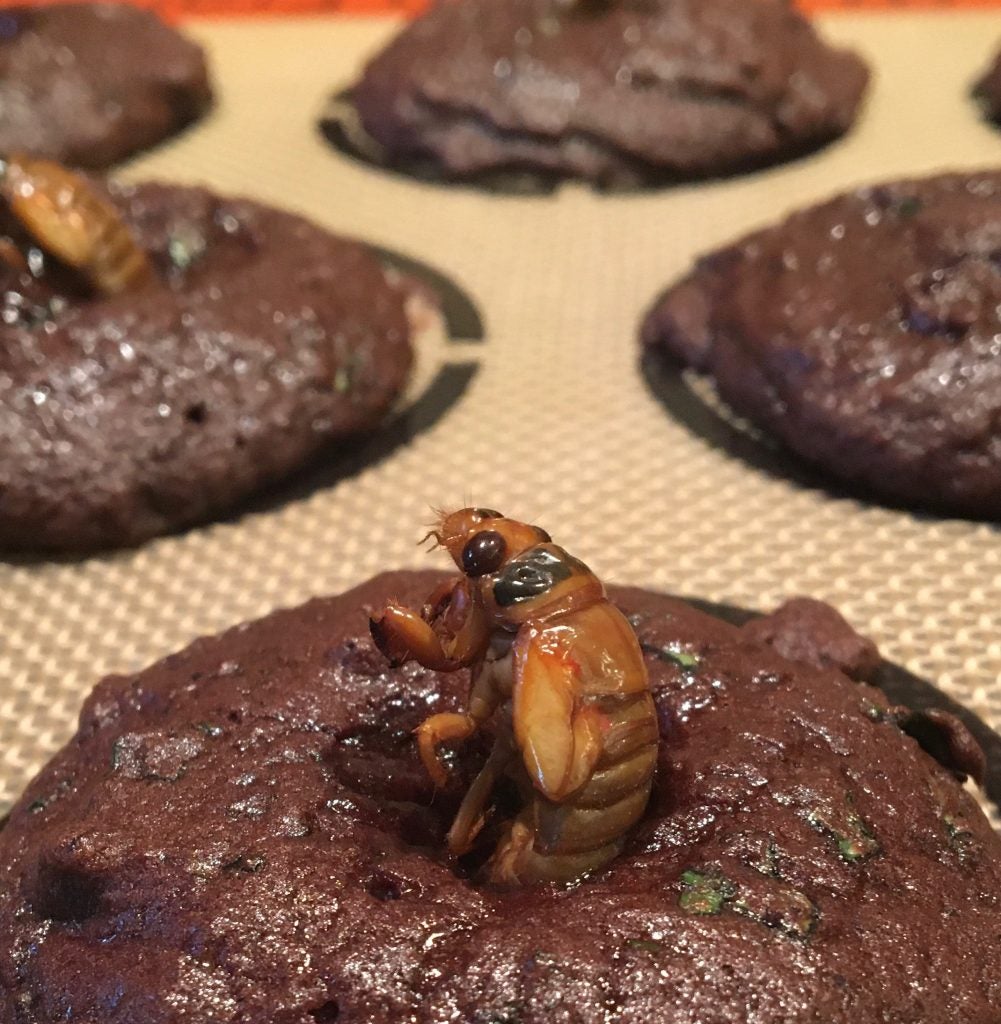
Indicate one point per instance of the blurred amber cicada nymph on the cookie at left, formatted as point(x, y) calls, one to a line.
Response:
point(69, 220)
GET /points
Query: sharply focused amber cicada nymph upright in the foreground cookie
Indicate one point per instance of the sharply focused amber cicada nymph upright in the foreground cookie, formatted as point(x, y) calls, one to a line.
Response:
point(558, 673)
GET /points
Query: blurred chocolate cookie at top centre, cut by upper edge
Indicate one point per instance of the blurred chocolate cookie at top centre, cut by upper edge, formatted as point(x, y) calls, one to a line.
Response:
point(622, 94)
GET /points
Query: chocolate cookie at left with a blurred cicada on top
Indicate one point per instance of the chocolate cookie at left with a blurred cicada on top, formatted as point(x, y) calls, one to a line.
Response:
point(260, 343)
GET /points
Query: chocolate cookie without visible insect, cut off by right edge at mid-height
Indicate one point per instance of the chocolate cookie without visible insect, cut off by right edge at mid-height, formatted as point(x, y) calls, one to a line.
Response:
point(864, 334)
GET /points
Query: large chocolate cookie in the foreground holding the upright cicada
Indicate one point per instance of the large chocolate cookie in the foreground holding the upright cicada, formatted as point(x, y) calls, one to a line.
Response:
point(245, 832)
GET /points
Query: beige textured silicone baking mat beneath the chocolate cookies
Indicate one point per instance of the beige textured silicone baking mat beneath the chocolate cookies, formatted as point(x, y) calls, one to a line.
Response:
point(557, 426)
